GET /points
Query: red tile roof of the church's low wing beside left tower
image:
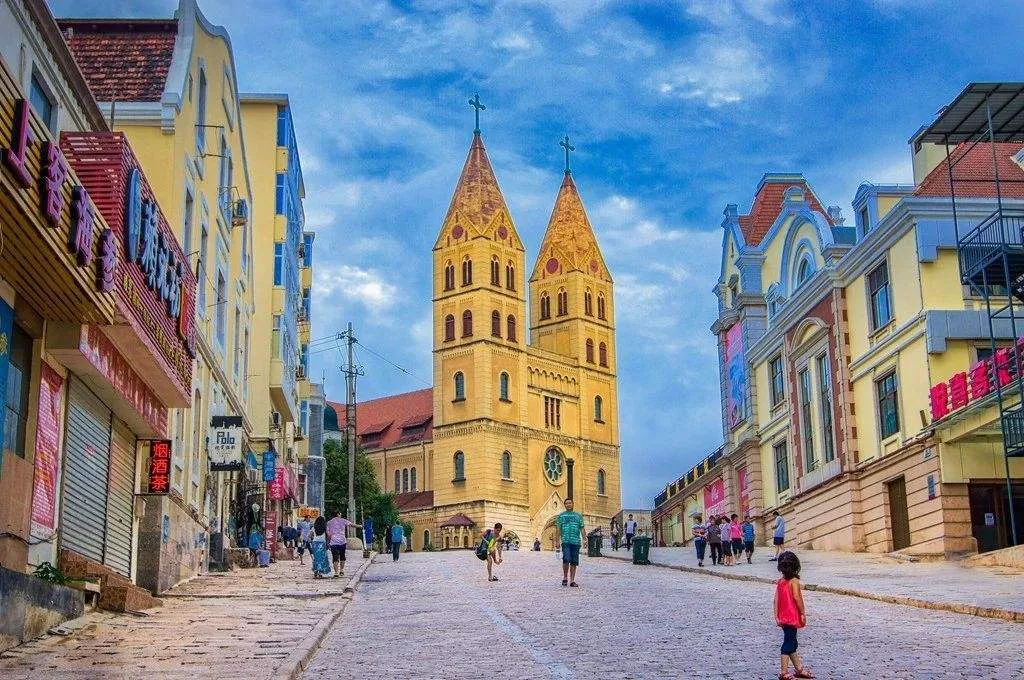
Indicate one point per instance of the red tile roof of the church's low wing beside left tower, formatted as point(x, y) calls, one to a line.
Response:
point(386, 418)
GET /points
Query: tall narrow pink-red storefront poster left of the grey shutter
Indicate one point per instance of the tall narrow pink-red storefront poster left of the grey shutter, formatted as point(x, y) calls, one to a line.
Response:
point(45, 498)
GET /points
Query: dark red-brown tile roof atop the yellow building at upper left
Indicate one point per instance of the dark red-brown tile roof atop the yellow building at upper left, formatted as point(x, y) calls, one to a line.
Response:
point(122, 61)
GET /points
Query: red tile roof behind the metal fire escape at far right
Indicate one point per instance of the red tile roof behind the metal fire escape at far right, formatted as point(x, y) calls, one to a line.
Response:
point(973, 175)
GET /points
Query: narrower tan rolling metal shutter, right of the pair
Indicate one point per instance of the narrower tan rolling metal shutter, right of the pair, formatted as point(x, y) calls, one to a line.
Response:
point(120, 499)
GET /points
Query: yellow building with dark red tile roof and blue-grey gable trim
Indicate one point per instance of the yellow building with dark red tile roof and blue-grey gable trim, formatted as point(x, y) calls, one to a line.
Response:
point(170, 88)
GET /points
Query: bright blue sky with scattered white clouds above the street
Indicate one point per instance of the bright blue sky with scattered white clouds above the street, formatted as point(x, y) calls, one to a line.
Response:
point(676, 110)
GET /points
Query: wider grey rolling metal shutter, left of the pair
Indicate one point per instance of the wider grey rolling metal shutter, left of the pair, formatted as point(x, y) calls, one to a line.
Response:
point(88, 448)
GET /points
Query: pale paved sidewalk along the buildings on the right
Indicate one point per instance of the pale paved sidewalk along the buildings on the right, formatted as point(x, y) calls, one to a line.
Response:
point(993, 592)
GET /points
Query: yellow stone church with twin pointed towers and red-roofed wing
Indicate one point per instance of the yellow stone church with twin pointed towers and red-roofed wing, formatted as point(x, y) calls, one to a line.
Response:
point(516, 423)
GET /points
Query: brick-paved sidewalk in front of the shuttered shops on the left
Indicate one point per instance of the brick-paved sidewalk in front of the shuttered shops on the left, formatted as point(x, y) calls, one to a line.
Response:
point(245, 624)
